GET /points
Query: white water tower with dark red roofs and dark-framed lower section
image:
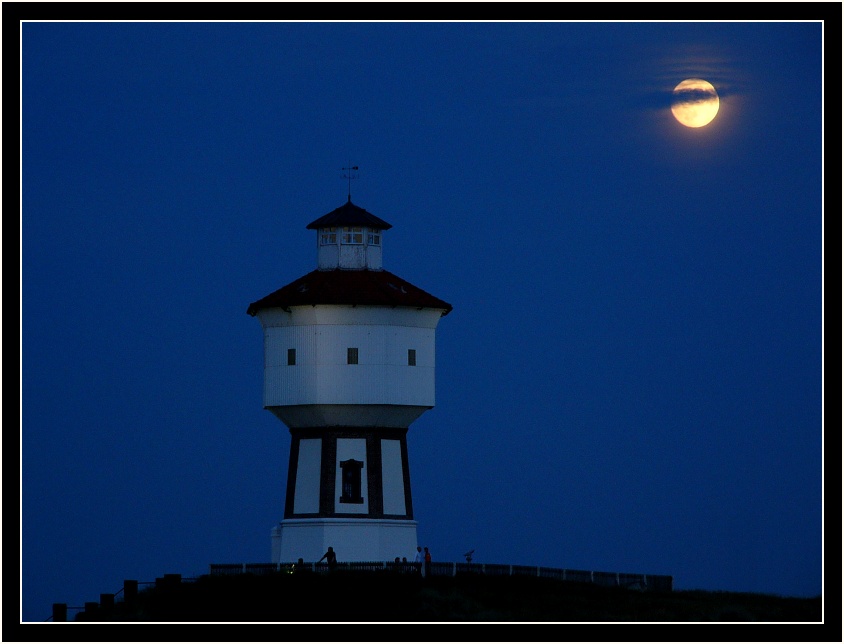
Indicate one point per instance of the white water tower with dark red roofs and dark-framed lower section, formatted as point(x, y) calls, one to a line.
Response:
point(349, 362)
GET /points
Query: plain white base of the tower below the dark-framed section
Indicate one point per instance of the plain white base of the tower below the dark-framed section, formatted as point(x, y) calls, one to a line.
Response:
point(352, 539)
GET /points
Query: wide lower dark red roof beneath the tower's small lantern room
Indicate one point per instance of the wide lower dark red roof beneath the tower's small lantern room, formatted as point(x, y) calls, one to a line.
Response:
point(349, 287)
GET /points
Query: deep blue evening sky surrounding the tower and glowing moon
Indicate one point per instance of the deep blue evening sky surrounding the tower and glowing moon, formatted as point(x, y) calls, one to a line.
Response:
point(630, 380)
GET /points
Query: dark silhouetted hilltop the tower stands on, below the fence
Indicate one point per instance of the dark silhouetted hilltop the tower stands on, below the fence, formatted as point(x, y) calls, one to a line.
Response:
point(354, 596)
